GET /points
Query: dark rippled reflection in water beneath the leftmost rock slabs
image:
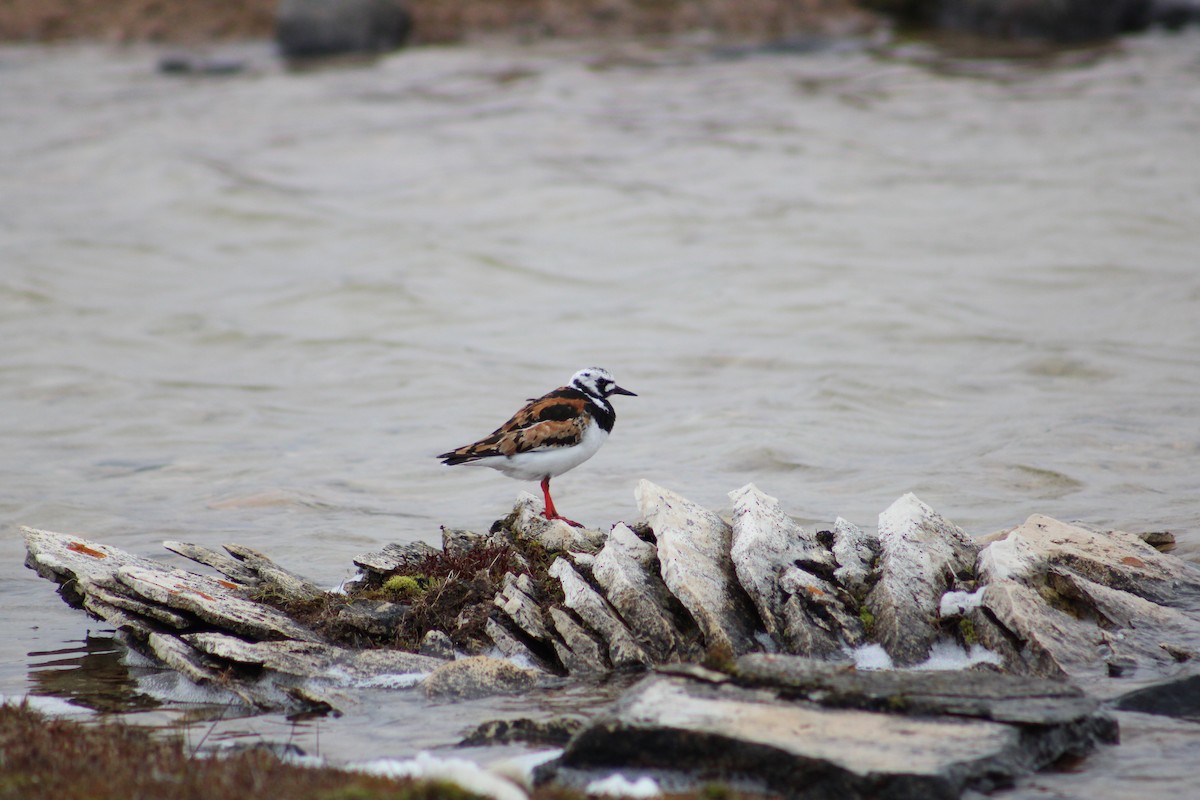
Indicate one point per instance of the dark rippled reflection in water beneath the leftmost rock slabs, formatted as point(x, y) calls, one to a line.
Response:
point(92, 675)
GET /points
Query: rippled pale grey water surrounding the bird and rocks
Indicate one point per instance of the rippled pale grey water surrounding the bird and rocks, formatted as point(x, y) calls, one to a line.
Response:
point(254, 309)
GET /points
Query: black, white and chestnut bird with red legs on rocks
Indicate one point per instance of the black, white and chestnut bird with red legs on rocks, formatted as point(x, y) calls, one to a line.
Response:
point(550, 436)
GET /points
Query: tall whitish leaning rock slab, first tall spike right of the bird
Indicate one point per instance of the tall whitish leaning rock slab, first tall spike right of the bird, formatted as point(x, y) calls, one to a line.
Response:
point(694, 555)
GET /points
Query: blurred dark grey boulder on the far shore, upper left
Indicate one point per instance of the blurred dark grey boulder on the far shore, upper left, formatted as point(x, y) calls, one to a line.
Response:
point(317, 28)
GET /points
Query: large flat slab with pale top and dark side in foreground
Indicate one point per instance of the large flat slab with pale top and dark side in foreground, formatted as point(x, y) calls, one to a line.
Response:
point(801, 749)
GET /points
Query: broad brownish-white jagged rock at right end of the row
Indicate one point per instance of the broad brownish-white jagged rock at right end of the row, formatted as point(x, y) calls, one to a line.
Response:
point(1111, 601)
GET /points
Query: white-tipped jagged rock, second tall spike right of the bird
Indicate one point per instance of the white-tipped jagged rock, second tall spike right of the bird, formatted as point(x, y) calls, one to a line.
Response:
point(776, 561)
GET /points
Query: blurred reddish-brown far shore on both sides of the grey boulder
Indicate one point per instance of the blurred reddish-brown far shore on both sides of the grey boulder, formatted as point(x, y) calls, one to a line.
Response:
point(437, 21)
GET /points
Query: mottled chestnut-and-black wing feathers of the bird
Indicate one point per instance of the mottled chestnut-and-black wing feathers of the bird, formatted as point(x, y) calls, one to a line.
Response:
point(555, 420)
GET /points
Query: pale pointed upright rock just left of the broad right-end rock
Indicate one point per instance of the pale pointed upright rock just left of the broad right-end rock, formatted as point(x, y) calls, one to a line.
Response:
point(922, 554)
